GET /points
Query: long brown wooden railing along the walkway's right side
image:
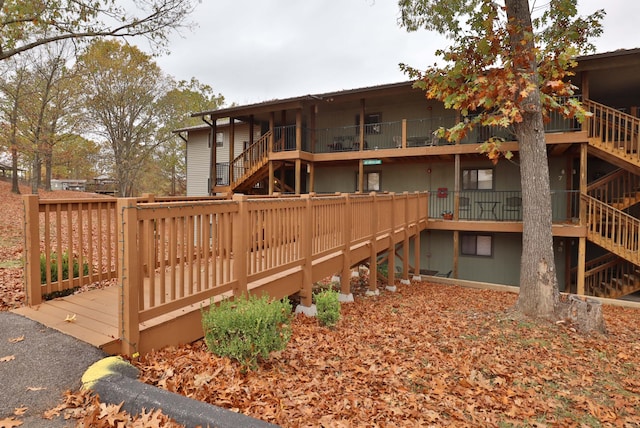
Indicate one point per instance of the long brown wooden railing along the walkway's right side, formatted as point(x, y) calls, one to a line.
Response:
point(212, 249)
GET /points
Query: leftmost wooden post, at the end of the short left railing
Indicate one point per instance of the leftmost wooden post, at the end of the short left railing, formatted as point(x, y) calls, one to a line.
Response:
point(32, 250)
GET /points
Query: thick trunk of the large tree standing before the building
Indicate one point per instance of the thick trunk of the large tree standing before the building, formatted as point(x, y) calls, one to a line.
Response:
point(539, 295)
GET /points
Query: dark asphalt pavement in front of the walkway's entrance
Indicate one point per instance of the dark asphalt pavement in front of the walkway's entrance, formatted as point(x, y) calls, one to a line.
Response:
point(37, 365)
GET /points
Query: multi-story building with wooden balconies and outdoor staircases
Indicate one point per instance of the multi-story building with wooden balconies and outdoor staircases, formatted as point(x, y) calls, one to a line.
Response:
point(381, 139)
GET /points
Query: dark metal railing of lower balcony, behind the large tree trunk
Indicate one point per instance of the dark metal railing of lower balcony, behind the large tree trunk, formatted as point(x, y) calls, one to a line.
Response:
point(481, 205)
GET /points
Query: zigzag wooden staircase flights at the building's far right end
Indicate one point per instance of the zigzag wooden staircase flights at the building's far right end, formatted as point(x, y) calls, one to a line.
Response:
point(614, 137)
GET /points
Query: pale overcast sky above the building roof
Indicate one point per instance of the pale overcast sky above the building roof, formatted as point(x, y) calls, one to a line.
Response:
point(257, 50)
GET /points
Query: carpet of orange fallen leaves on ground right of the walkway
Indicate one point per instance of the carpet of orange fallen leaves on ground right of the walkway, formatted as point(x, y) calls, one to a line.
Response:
point(426, 355)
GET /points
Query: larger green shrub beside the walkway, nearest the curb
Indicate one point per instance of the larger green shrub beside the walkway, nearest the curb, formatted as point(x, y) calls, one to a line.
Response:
point(247, 328)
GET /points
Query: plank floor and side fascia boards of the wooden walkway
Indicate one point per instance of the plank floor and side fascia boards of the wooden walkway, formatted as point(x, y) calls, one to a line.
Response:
point(95, 312)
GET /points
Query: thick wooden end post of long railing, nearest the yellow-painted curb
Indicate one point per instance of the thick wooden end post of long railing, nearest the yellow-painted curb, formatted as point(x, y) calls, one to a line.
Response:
point(130, 278)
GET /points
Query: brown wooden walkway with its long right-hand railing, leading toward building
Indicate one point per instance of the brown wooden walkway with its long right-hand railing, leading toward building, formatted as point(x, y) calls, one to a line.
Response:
point(203, 250)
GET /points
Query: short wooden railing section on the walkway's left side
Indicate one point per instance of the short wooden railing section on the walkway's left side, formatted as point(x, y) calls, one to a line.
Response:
point(68, 244)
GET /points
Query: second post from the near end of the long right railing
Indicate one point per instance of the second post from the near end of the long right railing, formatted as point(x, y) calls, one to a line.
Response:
point(240, 225)
